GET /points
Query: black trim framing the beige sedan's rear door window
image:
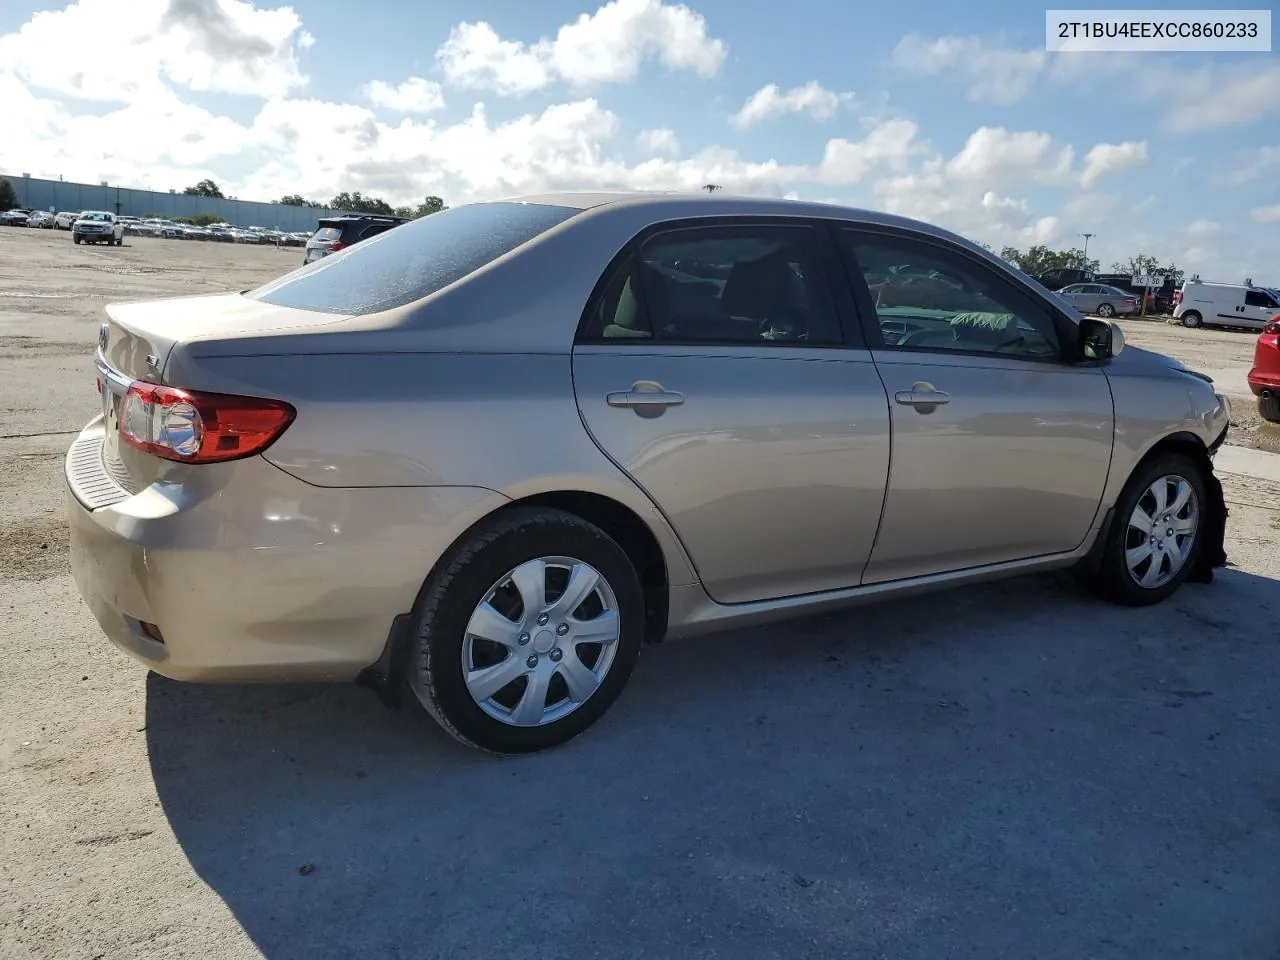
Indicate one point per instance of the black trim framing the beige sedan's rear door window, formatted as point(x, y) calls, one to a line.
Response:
point(830, 282)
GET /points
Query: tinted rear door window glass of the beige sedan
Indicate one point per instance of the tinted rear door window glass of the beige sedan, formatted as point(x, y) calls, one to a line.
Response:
point(733, 285)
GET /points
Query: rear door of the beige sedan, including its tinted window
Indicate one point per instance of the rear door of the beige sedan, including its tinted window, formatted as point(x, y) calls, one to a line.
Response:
point(712, 368)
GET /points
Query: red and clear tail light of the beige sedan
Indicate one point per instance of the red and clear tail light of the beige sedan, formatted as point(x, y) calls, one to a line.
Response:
point(200, 428)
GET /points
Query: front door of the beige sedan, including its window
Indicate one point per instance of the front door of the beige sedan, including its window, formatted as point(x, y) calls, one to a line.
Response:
point(1000, 449)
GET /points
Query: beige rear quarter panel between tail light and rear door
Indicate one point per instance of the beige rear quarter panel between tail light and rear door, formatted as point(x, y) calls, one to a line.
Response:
point(502, 422)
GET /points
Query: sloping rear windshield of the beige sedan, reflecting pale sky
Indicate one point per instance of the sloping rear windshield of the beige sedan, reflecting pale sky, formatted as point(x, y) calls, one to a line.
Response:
point(413, 262)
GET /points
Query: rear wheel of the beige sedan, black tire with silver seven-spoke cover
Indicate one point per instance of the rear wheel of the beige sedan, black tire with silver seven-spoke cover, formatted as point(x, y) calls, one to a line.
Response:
point(528, 632)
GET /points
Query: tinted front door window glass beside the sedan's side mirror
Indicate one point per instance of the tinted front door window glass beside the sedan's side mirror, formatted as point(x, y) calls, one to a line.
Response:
point(927, 298)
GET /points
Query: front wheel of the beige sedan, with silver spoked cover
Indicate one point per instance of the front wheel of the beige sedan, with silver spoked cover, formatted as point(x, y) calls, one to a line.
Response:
point(1155, 533)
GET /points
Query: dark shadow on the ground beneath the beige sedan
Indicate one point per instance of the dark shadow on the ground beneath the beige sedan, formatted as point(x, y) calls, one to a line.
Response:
point(1013, 767)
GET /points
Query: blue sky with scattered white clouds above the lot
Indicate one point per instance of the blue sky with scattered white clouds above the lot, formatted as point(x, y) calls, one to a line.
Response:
point(952, 113)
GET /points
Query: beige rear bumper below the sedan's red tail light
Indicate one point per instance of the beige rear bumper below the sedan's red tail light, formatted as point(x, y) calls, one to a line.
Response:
point(250, 575)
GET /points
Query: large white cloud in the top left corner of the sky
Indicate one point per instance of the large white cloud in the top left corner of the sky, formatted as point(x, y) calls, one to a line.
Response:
point(223, 47)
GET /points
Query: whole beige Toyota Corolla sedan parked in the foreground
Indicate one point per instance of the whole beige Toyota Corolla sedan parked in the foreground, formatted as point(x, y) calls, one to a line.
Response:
point(491, 454)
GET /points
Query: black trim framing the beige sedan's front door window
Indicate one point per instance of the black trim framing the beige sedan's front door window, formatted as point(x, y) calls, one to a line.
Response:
point(870, 319)
